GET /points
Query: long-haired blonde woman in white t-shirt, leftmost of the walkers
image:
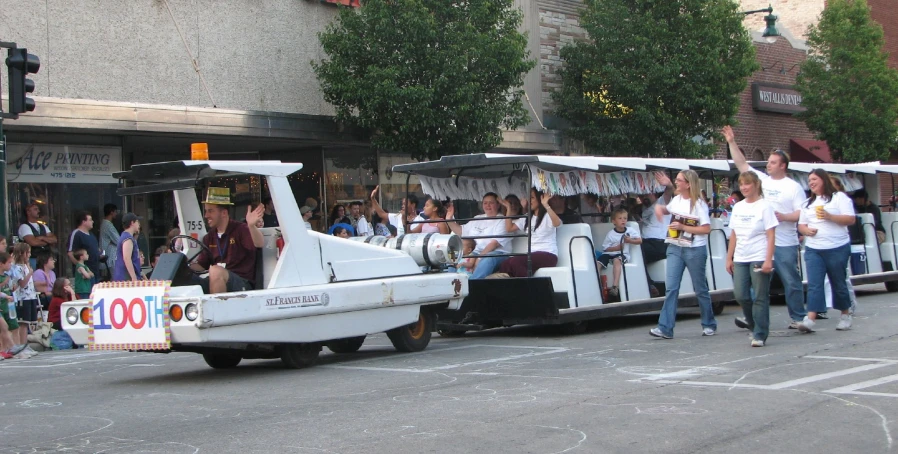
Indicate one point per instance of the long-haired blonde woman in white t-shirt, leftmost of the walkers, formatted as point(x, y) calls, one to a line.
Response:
point(688, 203)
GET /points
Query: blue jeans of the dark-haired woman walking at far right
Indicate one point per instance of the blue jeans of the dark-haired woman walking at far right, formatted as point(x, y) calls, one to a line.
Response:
point(832, 263)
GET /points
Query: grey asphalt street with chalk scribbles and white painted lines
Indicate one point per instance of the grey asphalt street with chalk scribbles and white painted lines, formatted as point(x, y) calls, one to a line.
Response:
point(518, 390)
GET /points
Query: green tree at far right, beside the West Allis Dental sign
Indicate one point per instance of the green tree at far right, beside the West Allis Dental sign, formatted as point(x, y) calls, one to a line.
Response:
point(850, 93)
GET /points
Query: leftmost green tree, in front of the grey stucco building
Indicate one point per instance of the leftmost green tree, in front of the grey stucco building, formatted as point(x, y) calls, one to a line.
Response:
point(427, 77)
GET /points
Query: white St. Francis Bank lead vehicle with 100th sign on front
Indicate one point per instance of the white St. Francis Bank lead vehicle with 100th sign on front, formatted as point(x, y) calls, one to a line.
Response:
point(312, 290)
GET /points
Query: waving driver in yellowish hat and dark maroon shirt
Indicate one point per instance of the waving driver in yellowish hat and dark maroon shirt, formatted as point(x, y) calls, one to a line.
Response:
point(232, 265)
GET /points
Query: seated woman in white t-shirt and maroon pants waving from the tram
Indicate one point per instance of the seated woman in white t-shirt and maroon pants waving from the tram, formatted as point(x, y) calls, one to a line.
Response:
point(543, 244)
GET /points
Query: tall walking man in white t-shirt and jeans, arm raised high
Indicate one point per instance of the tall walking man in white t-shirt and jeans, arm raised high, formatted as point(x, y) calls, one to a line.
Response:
point(785, 195)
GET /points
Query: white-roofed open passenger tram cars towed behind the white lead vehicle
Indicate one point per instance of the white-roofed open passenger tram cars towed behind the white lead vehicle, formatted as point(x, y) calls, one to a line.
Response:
point(575, 290)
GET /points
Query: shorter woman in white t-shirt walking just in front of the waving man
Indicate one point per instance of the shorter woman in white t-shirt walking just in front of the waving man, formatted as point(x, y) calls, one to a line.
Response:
point(750, 257)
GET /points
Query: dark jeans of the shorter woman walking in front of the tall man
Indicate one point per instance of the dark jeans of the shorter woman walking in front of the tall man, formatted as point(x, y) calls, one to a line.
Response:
point(752, 292)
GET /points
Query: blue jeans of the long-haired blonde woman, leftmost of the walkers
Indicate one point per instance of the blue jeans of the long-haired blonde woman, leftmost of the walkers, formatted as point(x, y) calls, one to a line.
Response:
point(679, 259)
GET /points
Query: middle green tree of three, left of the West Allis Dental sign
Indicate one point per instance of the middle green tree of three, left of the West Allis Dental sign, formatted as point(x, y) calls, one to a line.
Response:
point(654, 75)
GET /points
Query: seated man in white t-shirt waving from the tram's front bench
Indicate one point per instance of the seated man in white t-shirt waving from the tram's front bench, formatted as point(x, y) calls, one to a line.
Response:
point(484, 225)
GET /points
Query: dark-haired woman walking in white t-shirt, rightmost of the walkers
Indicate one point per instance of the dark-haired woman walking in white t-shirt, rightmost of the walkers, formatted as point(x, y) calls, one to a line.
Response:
point(824, 222)
